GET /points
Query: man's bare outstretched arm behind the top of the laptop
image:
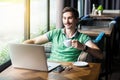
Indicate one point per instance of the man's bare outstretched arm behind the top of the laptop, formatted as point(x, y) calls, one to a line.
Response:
point(38, 40)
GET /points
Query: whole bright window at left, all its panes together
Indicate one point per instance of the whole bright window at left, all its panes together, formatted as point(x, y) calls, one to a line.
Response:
point(12, 22)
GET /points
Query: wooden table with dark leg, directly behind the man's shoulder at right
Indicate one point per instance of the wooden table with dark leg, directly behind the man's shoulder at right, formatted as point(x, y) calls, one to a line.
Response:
point(108, 41)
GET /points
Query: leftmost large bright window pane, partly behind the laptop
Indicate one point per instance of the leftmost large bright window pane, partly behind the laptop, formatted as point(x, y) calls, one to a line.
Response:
point(11, 25)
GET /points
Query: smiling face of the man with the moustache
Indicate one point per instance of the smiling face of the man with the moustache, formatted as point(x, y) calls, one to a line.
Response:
point(69, 21)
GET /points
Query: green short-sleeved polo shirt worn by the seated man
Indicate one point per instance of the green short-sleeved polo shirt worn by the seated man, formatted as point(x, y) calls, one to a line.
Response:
point(59, 51)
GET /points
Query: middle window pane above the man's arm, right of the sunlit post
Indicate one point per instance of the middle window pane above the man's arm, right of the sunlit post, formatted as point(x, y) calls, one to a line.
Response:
point(38, 18)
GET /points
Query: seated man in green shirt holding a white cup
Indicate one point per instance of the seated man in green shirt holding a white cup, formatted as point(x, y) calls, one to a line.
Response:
point(79, 42)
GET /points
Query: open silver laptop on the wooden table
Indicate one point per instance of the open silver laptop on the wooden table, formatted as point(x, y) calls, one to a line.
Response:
point(30, 56)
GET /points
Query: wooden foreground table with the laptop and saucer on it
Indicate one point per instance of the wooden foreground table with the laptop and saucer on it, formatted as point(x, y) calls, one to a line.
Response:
point(76, 73)
